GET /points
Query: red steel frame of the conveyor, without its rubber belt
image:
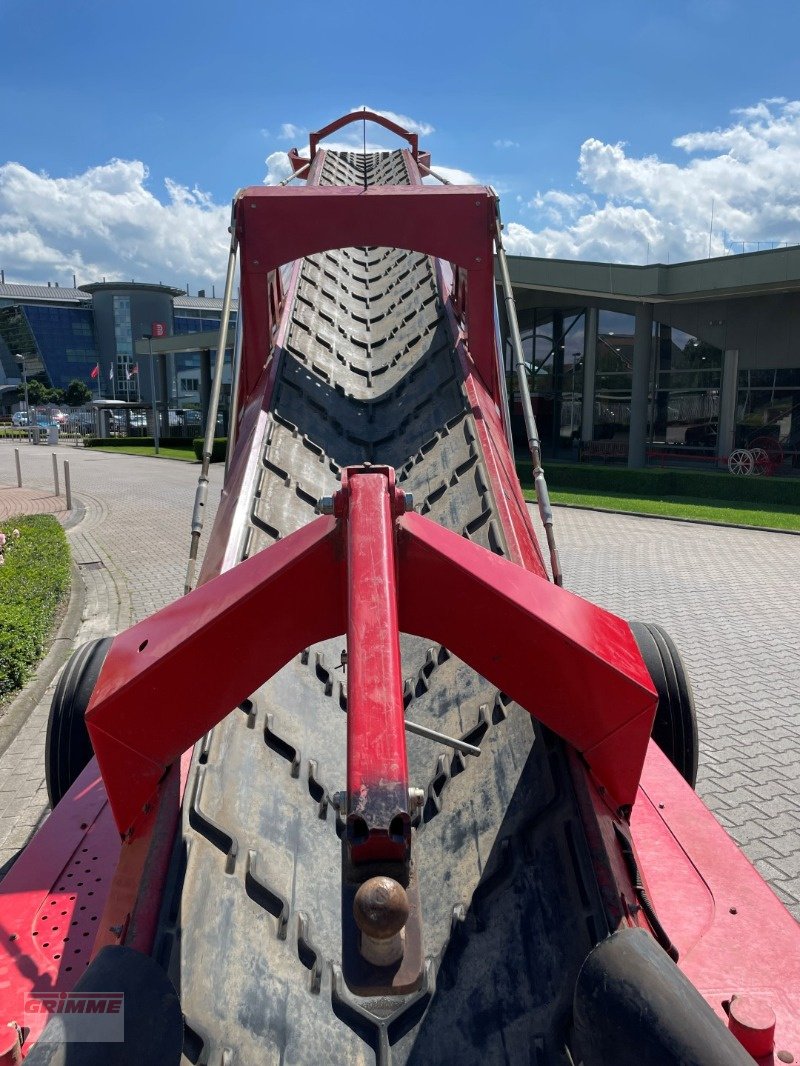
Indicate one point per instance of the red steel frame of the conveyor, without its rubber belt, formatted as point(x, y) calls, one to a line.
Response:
point(591, 686)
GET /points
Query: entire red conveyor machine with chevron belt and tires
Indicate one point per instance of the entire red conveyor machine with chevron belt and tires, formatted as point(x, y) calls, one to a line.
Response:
point(380, 789)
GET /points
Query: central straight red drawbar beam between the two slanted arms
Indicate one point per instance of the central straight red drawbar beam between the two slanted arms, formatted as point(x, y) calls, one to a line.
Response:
point(379, 825)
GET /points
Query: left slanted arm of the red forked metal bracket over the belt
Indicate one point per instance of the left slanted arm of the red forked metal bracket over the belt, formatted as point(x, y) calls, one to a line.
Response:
point(171, 679)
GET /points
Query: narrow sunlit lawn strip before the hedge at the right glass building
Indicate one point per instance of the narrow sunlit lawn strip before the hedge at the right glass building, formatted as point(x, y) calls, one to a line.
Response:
point(675, 507)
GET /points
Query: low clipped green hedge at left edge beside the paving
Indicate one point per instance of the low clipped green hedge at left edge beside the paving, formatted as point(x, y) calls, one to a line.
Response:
point(35, 582)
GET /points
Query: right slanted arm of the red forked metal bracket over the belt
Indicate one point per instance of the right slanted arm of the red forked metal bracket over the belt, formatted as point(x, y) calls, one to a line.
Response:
point(571, 665)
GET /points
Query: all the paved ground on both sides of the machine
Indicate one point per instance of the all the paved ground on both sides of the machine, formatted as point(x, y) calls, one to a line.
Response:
point(728, 597)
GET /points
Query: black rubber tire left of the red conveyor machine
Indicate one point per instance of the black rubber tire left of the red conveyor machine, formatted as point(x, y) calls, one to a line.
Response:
point(68, 747)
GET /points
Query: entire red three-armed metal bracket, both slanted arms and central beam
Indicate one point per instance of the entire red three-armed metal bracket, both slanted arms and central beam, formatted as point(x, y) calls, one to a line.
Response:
point(170, 680)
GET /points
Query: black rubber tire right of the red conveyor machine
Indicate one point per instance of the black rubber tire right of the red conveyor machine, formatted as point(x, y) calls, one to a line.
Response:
point(676, 726)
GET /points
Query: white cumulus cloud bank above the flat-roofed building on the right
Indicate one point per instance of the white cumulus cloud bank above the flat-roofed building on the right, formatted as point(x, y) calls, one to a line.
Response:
point(636, 207)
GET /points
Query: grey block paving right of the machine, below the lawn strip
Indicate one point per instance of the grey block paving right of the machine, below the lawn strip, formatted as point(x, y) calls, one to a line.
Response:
point(730, 601)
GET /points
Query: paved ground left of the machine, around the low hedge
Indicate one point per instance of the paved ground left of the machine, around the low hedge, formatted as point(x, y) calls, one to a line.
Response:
point(132, 547)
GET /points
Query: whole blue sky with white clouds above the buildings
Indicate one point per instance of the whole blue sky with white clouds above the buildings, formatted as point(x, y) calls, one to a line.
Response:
point(610, 128)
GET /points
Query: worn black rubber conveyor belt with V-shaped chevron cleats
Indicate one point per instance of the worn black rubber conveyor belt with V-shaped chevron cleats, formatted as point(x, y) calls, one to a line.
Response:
point(251, 928)
